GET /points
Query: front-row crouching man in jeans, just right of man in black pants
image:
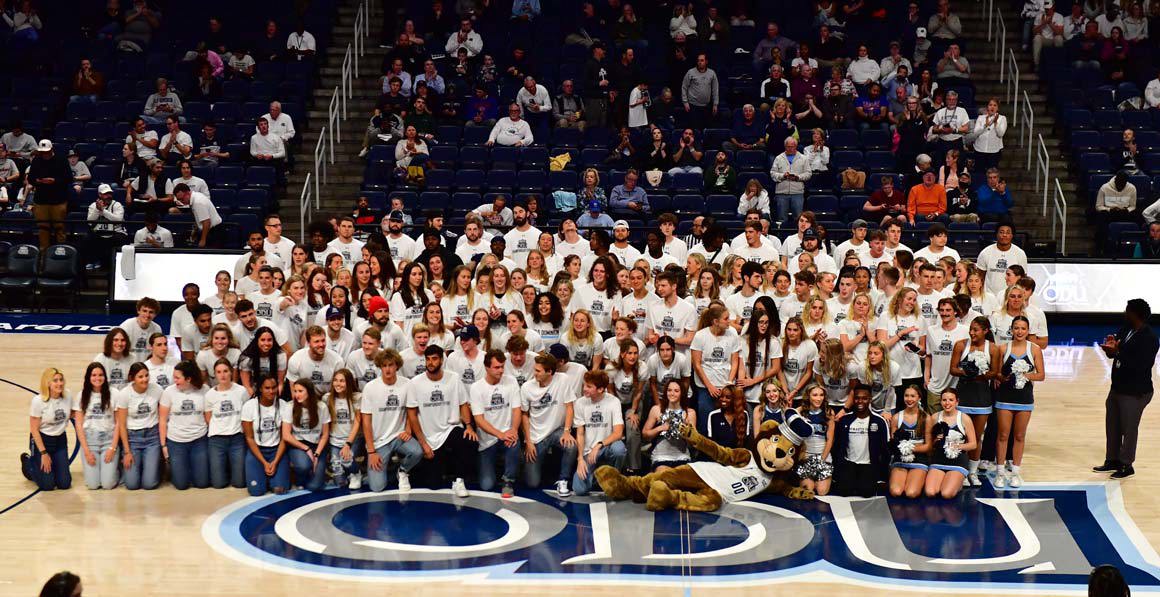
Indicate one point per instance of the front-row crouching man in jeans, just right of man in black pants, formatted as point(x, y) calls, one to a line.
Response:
point(497, 411)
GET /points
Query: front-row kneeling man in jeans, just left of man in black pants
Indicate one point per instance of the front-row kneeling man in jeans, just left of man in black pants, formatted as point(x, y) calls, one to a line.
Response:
point(385, 418)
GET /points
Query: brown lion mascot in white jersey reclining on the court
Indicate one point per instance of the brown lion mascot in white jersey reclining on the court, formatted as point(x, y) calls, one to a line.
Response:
point(735, 475)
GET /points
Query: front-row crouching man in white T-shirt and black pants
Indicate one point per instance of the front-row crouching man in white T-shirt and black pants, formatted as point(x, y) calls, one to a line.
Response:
point(440, 417)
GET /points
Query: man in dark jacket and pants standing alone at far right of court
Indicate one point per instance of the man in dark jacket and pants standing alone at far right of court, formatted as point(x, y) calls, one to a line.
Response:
point(1134, 354)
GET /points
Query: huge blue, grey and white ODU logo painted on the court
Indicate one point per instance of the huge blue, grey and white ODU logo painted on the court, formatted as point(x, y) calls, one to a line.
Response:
point(1046, 538)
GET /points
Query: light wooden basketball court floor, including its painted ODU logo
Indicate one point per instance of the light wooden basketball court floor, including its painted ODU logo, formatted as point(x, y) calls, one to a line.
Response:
point(1040, 541)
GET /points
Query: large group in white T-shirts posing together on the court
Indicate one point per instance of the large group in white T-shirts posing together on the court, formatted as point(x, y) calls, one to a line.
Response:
point(565, 356)
